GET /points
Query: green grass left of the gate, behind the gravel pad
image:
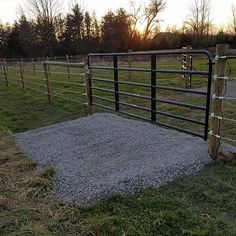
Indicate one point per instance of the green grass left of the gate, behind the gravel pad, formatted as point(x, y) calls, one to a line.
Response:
point(21, 111)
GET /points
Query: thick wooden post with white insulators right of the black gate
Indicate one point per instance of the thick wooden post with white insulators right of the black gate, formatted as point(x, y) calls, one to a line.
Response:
point(217, 104)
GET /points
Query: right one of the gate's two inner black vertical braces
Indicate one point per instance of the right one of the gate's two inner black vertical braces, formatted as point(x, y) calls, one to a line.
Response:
point(153, 87)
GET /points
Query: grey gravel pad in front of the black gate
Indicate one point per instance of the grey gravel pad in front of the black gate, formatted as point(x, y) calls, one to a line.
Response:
point(103, 155)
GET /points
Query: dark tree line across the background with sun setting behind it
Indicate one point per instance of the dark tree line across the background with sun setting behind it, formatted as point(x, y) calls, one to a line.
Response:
point(45, 31)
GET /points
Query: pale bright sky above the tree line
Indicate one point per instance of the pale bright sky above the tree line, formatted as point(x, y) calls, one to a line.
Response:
point(175, 13)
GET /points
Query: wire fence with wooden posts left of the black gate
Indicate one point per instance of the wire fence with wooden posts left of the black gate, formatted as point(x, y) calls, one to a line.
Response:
point(63, 81)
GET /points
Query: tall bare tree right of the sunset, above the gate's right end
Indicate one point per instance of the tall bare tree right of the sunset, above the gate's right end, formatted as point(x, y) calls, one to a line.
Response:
point(199, 20)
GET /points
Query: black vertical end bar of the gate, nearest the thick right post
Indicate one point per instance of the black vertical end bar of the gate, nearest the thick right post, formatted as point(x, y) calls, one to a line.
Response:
point(208, 101)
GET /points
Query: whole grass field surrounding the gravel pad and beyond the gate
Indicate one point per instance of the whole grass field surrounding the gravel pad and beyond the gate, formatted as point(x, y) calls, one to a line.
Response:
point(203, 204)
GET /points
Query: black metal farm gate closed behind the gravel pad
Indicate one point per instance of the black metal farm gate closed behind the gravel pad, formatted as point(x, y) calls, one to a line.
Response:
point(113, 59)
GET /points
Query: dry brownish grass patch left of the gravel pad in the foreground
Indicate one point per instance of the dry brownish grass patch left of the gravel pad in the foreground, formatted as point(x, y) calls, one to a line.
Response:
point(27, 203)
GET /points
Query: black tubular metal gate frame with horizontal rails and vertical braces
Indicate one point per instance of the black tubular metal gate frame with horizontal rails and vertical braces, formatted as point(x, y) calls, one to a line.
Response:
point(153, 86)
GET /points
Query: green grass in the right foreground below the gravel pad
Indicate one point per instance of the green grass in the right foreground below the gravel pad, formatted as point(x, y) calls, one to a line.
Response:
point(198, 205)
